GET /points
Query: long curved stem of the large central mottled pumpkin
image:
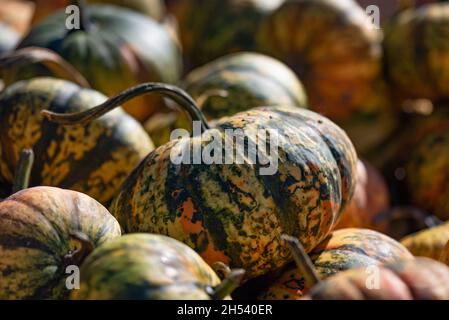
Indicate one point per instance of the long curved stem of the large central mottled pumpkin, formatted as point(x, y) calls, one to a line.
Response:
point(173, 92)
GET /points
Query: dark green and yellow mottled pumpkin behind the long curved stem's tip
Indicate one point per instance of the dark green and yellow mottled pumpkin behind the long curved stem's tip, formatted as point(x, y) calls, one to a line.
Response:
point(93, 159)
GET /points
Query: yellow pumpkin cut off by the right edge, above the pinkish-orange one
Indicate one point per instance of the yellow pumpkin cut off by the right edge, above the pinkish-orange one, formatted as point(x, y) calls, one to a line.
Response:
point(428, 243)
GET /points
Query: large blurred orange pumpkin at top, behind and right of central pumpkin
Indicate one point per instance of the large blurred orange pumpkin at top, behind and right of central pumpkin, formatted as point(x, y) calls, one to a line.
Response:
point(335, 52)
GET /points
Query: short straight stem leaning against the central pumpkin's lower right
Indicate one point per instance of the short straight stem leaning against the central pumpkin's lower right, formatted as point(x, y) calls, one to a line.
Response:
point(303, 261)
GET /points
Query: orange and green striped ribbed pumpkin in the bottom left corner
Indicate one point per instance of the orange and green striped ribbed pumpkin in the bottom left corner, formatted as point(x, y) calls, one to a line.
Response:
point(36, 227)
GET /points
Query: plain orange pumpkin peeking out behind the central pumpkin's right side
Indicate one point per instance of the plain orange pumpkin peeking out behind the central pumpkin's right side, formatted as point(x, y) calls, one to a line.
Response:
point(370, 199)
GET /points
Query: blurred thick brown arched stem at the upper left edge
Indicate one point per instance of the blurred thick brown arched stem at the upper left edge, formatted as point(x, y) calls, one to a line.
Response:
point(12, 64)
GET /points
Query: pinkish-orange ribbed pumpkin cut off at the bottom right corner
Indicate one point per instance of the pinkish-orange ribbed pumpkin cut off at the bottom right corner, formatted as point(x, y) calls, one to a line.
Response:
point(419, 279)
